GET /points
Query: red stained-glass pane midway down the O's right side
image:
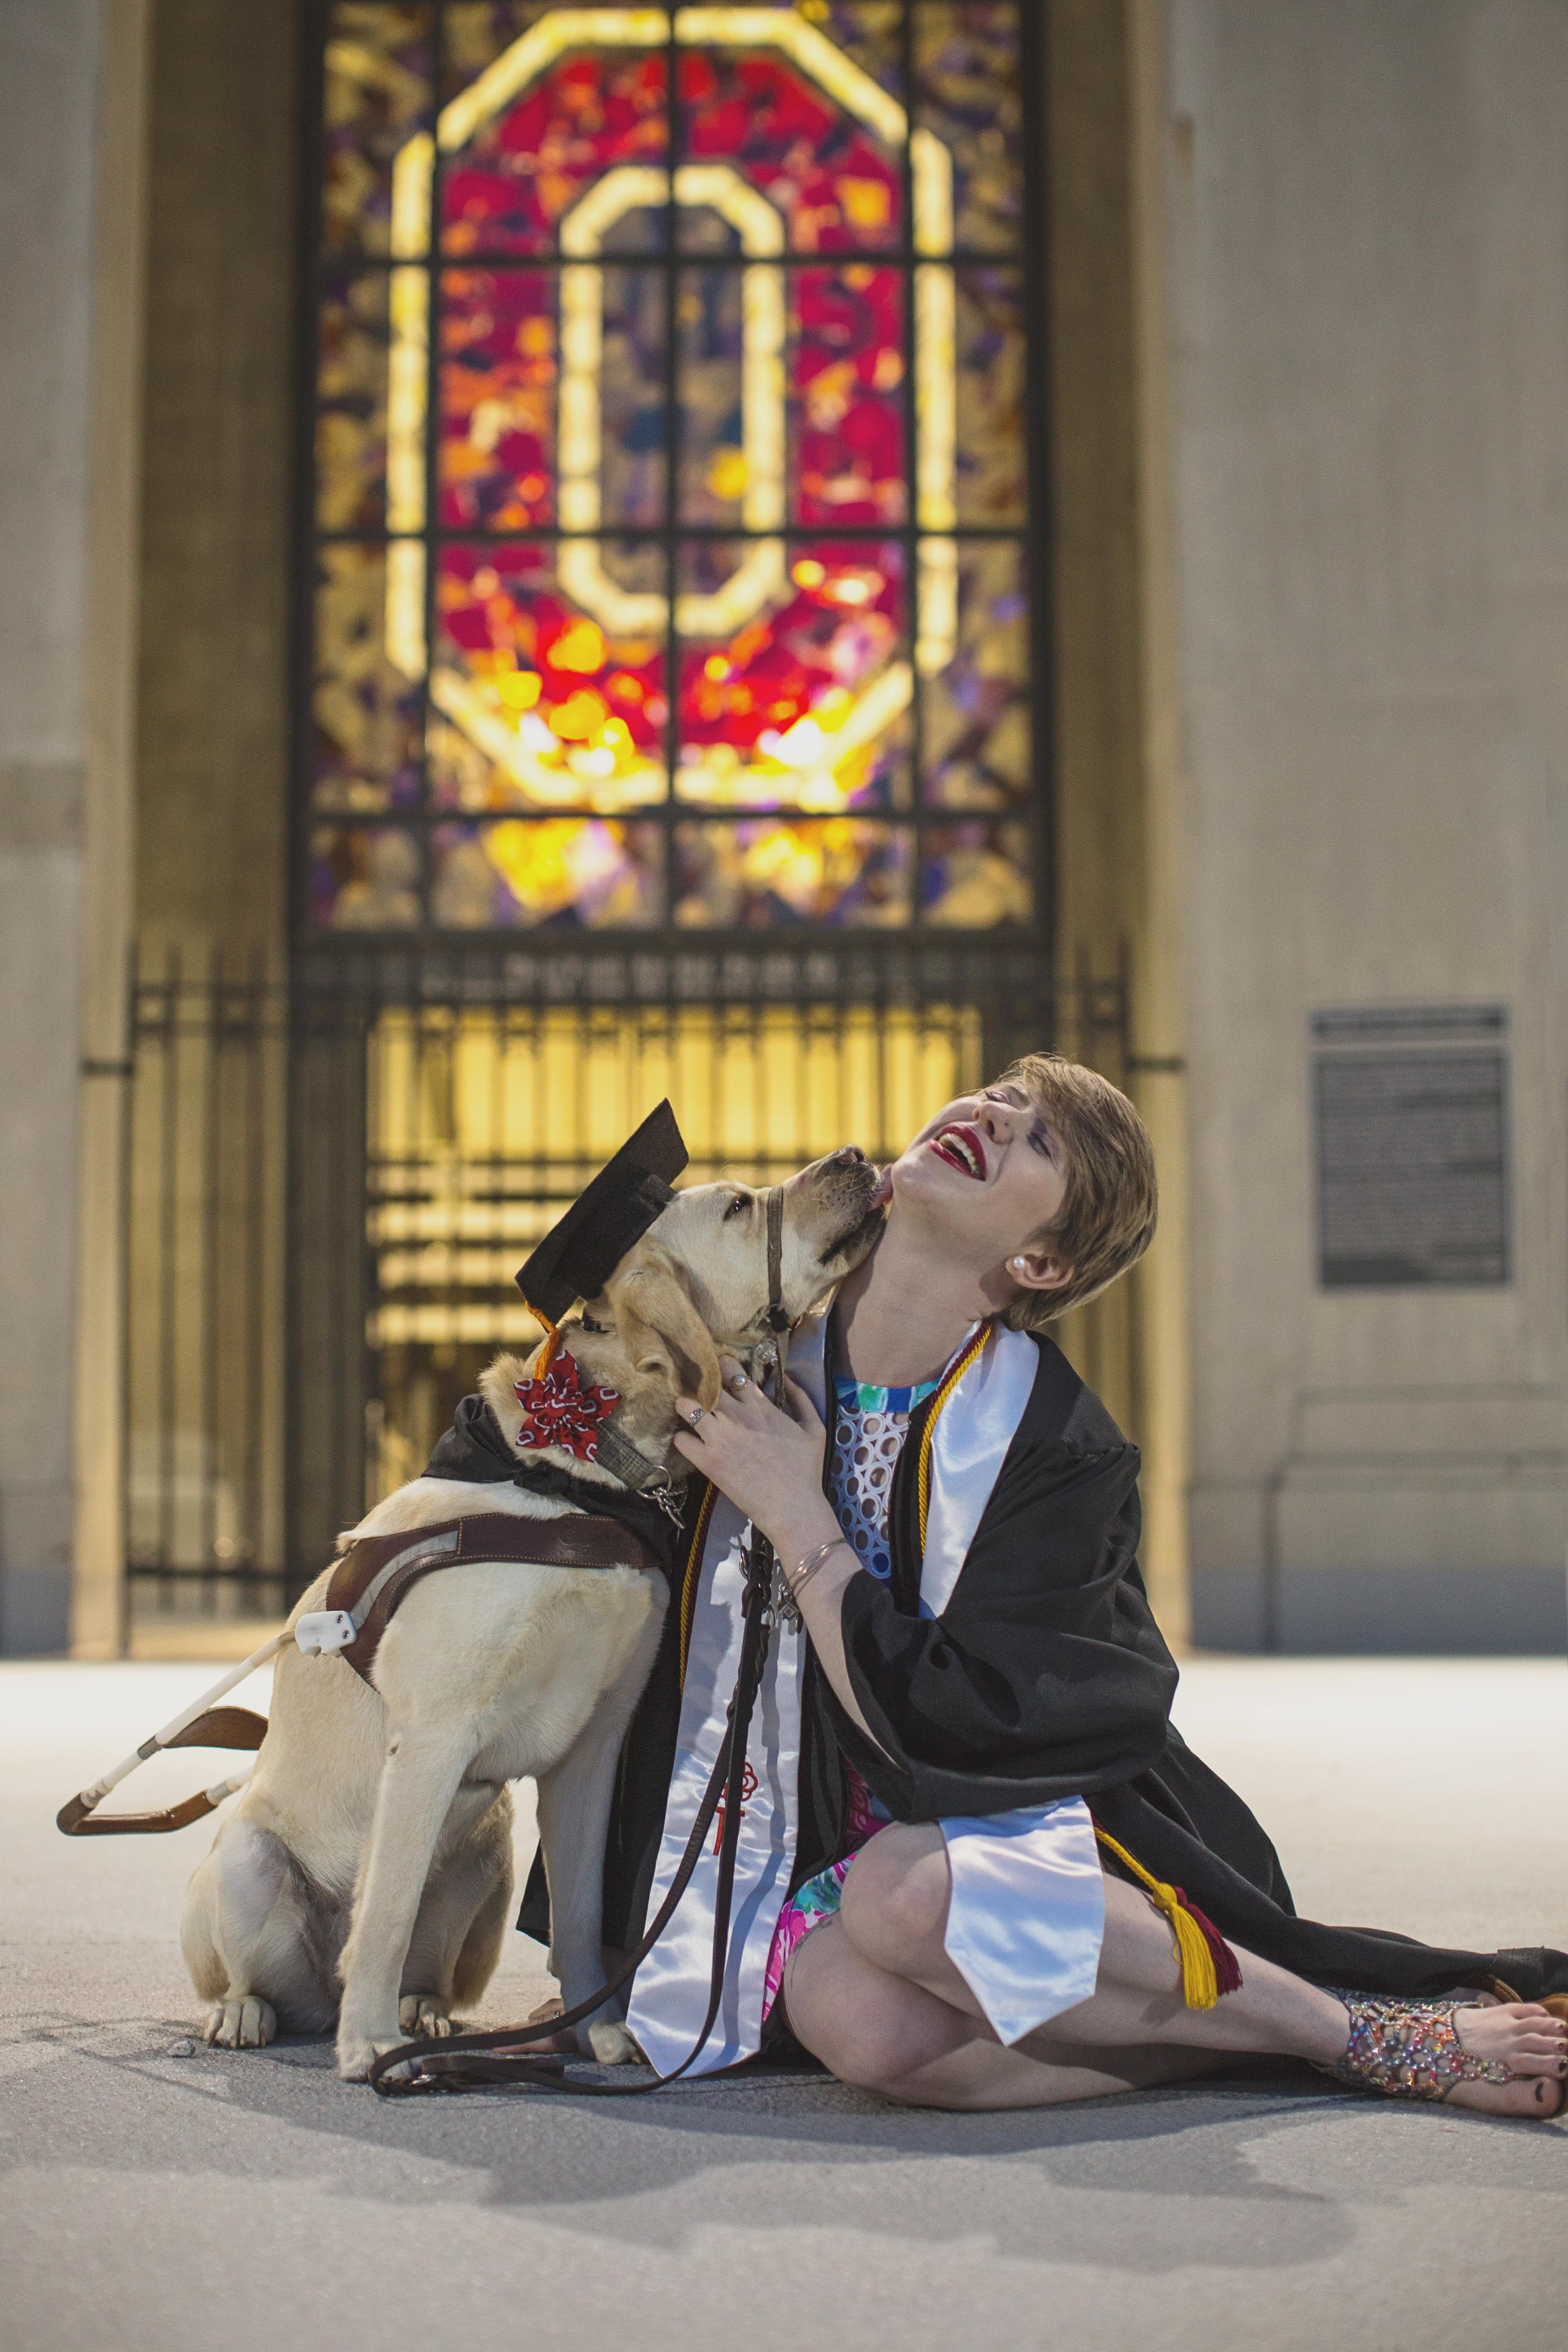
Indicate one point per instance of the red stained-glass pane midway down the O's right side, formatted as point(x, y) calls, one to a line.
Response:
point(847, 396)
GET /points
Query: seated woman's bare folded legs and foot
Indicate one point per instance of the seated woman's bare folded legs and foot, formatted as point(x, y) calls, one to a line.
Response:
point(892, 1925)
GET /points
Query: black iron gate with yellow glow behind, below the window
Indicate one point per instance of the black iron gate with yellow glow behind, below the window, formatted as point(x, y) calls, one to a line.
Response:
point(333, 1184)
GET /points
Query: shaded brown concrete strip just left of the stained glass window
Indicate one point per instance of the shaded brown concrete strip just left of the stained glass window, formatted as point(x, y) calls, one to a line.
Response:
point(217, 493)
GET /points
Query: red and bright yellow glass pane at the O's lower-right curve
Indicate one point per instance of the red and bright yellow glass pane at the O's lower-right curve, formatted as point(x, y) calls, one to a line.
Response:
point(800, 707)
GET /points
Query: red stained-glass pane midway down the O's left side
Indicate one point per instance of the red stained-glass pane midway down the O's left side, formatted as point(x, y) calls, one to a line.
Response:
point(497, 387)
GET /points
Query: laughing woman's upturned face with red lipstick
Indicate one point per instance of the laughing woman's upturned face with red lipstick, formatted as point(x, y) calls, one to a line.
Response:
point(986, 1177)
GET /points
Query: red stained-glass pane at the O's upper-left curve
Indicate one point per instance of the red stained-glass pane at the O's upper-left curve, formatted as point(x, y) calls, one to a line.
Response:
point(518, 175)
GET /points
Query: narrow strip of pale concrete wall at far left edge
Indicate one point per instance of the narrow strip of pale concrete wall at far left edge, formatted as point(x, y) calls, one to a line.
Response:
point(48, 69)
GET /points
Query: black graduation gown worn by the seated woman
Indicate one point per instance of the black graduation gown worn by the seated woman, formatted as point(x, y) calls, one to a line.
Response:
point(1045, 1678)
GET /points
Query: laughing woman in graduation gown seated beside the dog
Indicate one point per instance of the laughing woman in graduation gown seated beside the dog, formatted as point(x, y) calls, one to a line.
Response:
point(977, 1864)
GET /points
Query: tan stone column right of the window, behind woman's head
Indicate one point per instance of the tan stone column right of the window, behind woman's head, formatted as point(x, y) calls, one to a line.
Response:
point(1118, 688)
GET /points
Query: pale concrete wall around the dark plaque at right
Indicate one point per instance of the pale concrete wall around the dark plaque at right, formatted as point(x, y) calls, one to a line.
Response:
point(1372, 446)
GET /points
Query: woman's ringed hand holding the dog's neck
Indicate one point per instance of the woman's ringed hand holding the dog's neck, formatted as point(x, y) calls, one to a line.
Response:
point(768, 1462)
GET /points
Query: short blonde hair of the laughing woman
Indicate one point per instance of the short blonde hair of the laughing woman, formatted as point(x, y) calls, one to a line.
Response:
point(1113, 1196)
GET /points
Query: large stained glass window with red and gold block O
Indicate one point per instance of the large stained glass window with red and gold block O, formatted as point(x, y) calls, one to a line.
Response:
point(671, 561)
